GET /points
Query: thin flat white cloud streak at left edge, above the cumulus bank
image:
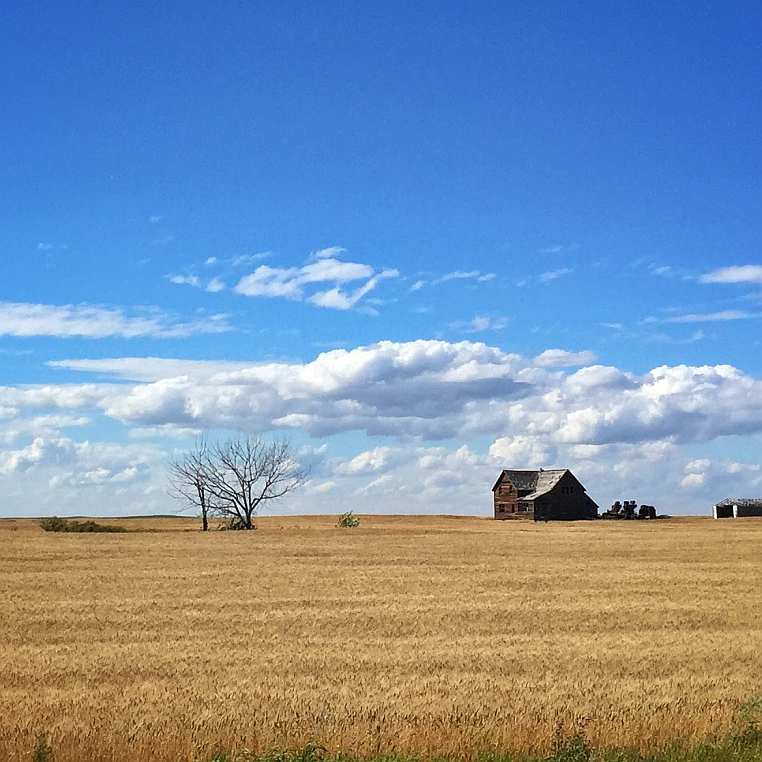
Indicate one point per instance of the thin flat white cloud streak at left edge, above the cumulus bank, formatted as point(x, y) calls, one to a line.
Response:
point(96, 321)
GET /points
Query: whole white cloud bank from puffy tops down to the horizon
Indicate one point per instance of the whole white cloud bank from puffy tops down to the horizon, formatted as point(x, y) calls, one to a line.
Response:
point(609, 425)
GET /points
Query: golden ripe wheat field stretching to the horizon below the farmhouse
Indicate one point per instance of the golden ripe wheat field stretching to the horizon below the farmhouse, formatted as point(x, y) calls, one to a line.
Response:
point(417, 634)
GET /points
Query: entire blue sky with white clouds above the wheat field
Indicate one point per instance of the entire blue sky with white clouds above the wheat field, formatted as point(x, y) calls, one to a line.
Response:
point(252, 185)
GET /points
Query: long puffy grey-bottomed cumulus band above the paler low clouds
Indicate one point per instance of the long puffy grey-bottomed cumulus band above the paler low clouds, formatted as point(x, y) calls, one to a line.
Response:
point(430, 390)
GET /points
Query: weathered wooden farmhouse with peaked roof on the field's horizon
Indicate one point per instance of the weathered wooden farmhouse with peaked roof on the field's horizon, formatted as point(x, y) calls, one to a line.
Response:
point(552, 495)
